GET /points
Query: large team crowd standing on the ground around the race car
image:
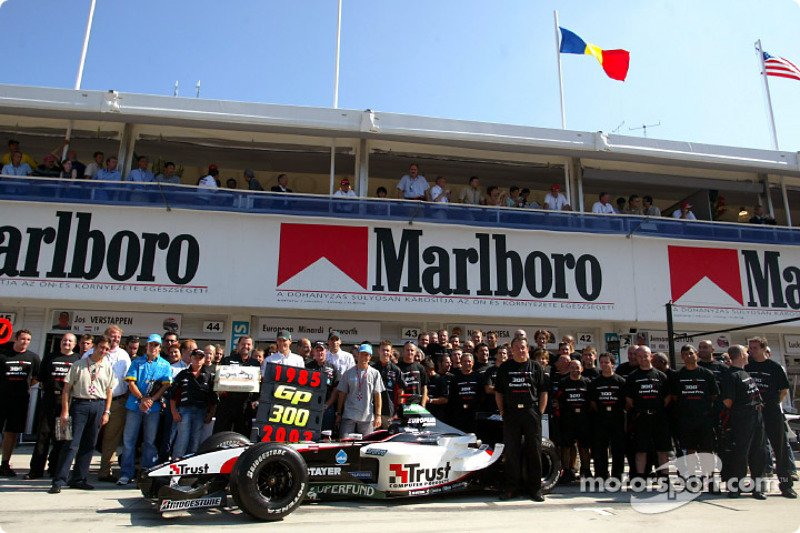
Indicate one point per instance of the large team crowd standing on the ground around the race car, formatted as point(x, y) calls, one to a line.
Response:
point(600, 414)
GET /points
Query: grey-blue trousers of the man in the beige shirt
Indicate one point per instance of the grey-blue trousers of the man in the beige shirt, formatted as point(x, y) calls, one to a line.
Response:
point(86, 417)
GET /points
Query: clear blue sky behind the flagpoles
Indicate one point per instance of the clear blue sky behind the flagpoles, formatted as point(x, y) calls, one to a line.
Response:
point(694, 74)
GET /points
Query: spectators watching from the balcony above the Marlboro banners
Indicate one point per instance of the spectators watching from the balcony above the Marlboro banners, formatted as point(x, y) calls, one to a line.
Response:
point(412, 186)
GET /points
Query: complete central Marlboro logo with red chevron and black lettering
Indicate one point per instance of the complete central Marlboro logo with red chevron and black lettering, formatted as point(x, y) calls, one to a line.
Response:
point(406, 261)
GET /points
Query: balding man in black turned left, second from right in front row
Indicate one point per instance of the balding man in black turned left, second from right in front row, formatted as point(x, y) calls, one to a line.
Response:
point(741, 396)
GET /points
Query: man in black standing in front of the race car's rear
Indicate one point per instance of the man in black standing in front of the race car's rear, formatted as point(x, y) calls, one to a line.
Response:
point(521, 399)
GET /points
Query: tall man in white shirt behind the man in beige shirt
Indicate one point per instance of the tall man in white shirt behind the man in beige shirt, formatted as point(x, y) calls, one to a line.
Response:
point(120, 361)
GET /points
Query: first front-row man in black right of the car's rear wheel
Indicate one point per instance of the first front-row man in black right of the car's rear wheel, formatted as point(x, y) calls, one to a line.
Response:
point(573, 406)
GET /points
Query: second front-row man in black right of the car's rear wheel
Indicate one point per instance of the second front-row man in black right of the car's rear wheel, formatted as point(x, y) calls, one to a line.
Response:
point(607, 396)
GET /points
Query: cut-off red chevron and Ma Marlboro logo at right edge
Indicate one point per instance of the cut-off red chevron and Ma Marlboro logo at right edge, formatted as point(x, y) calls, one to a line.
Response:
point(750, 277)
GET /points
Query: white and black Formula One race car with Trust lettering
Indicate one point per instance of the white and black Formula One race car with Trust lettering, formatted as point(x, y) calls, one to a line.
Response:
point(417, 456)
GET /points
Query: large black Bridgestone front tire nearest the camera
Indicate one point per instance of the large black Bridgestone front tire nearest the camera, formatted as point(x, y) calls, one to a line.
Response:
point(269, 481)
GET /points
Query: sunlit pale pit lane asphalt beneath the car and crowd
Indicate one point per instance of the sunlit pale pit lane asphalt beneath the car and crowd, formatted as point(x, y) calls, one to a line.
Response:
point(26, 507)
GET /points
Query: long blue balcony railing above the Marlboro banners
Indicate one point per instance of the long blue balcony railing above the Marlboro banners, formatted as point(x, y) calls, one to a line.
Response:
point(203, 199)
